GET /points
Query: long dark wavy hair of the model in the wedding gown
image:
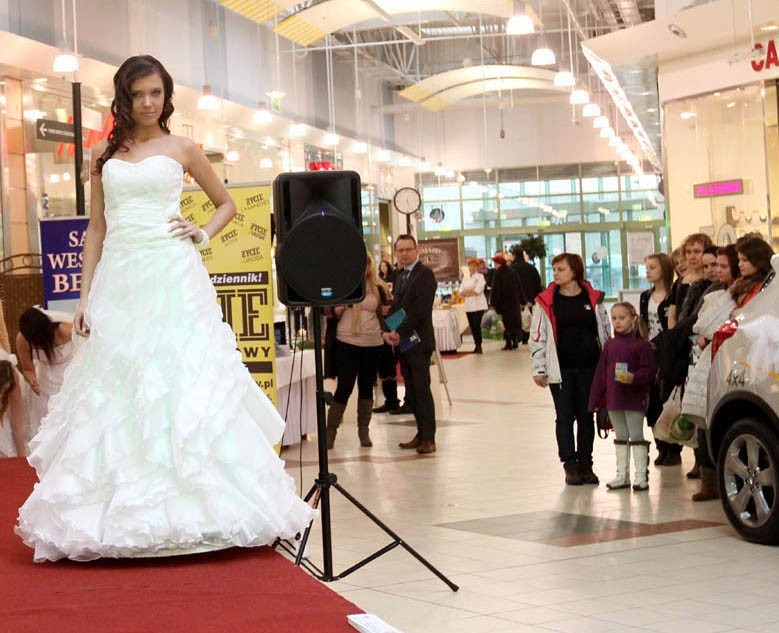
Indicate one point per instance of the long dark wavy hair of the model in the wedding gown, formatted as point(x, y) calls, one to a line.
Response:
point(132, 69)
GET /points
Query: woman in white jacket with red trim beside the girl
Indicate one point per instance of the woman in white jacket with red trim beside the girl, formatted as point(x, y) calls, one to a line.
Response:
point(570, 325)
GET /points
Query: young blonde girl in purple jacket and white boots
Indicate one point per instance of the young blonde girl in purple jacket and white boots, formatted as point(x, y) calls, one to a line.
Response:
point(622, 379)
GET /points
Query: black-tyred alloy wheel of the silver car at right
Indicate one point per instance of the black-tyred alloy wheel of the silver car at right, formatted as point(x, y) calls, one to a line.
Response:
point(748, 473)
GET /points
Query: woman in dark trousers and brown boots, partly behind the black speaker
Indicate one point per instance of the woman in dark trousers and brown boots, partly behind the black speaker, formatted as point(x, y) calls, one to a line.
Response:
point(358, 351)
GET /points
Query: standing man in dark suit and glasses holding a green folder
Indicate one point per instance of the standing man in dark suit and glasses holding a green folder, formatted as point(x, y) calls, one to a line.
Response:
point(414, 292)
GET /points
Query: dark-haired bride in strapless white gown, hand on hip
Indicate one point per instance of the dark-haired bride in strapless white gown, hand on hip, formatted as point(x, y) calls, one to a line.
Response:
point(159, 442)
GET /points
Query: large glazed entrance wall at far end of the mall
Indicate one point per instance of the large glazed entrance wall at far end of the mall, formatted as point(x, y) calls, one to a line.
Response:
point(576, 208)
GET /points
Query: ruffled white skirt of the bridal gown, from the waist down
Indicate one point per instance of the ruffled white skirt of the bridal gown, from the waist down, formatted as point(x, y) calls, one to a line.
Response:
point(159, 441)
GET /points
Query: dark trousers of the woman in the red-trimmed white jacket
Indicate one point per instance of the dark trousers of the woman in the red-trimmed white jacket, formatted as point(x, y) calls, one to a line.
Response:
point(571, 398)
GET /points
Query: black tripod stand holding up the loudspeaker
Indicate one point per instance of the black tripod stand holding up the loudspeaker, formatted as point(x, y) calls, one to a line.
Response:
point(320, 491)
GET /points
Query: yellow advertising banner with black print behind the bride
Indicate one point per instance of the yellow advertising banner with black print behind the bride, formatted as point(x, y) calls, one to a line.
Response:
point(239, 263)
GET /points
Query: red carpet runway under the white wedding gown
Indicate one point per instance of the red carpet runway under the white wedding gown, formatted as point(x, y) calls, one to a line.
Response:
point(234, 591)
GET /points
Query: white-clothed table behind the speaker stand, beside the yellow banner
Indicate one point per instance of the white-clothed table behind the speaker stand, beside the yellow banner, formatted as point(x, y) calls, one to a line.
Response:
point(296, 386)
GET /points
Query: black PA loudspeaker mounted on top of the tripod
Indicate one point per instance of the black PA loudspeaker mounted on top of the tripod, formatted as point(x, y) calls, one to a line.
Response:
point(320, 250)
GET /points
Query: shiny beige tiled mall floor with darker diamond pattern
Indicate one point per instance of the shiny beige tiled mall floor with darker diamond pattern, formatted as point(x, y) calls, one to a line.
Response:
point(490, 510)
